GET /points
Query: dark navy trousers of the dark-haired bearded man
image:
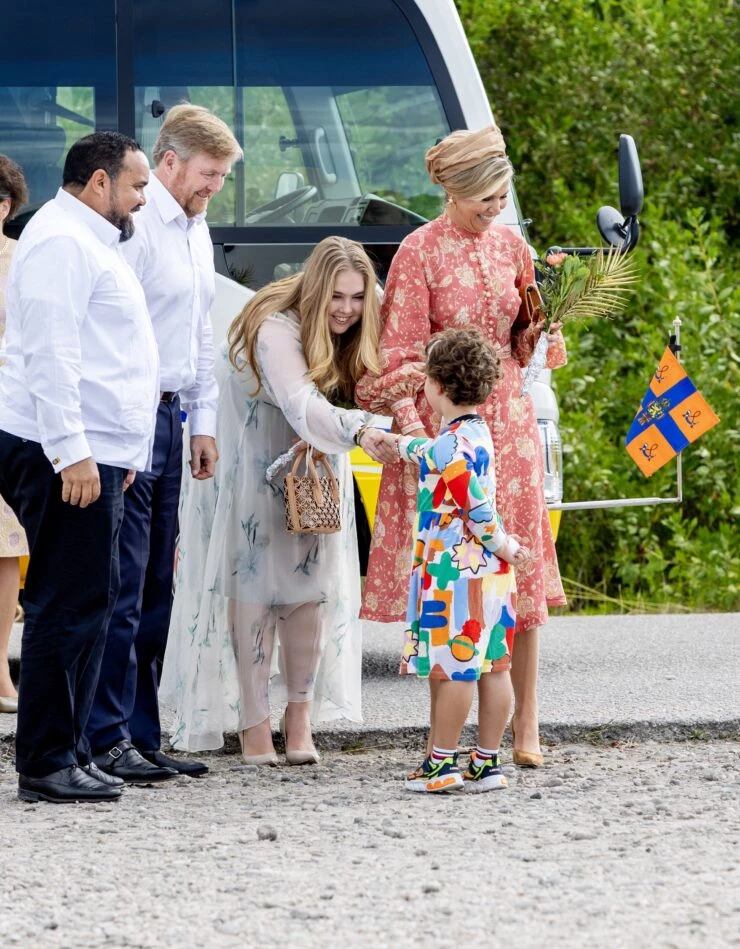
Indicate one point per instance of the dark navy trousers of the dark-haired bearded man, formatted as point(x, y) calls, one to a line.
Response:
point(70, 590)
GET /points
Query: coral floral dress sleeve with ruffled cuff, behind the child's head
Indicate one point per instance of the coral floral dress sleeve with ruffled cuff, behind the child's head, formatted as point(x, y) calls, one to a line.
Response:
point(406, 330)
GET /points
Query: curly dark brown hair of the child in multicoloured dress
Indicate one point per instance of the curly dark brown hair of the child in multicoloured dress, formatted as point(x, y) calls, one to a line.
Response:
point(464, 364)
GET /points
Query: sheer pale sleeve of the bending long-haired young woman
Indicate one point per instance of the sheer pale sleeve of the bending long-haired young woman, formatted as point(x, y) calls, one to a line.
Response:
point(285, 378)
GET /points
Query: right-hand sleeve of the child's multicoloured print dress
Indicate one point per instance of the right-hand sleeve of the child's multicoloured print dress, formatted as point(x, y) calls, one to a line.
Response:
point(454, 457)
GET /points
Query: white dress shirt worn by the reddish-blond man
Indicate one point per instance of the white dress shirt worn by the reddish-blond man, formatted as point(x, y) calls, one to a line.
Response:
point(172, 256)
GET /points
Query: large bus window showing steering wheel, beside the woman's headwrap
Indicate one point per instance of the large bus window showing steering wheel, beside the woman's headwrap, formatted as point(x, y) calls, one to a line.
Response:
point(358, 107)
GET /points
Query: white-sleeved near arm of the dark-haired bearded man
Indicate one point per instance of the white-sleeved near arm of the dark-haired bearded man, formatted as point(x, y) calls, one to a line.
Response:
point(56, 283)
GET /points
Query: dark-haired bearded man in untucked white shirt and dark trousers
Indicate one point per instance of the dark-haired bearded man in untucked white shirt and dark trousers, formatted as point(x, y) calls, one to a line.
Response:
point(78, 397)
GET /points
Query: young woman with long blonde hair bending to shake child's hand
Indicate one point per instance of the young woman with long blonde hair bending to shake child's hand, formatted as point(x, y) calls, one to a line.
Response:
point(244, 584)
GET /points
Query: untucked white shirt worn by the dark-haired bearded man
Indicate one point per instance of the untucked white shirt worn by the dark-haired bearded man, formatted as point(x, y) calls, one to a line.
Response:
point(81, 371)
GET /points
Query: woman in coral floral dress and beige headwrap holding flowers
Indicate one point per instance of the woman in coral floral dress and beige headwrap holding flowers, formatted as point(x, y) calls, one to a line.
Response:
point(463, 270)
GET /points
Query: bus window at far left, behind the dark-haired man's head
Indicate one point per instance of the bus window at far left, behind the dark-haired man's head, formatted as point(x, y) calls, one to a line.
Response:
point(56, 85)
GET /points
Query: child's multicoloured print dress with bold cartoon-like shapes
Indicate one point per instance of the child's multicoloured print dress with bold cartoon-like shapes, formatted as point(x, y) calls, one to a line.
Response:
point(462, 598)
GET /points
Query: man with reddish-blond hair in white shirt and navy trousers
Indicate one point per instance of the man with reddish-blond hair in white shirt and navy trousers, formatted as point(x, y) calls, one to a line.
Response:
point(172, 255)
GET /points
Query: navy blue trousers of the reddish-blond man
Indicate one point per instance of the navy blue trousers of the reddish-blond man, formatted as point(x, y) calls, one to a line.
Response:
point(126, 703)
